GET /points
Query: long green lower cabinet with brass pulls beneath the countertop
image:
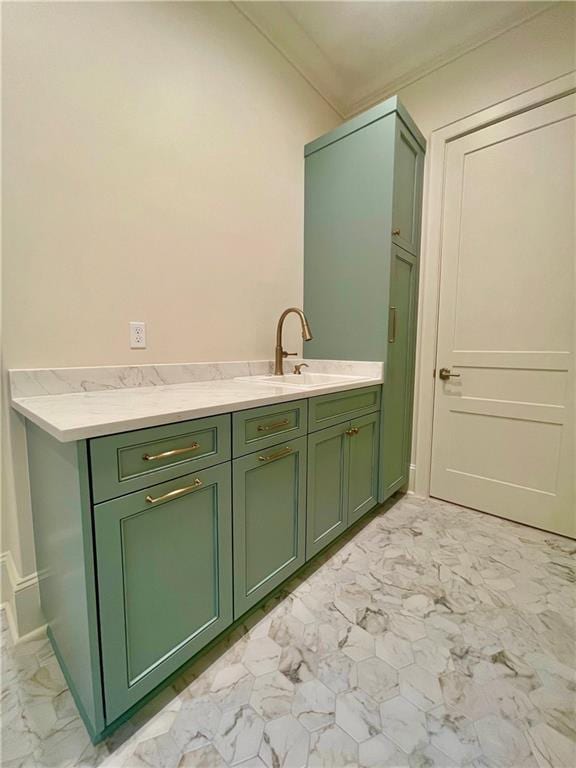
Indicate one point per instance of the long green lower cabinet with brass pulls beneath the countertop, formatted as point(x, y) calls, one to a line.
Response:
point(151, 543)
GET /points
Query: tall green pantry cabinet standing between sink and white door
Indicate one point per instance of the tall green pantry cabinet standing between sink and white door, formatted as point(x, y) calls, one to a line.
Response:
point(363, 201)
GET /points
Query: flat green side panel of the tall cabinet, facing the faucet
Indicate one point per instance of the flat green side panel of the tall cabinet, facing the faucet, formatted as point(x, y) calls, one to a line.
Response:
point(347, 236)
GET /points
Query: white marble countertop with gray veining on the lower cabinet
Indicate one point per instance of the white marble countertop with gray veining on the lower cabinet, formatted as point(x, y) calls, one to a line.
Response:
point(79, 415)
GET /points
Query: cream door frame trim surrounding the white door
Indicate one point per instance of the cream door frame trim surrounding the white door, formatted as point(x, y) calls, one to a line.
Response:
point(431, 251)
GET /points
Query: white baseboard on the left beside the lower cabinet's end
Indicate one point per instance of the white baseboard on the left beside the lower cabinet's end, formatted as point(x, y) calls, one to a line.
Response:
point(21, 599)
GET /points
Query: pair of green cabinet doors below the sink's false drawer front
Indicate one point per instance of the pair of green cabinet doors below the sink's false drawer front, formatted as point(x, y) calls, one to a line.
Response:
point(342, 478)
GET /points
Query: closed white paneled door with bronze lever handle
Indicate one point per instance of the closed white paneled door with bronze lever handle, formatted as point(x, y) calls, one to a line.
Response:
point(504, 424)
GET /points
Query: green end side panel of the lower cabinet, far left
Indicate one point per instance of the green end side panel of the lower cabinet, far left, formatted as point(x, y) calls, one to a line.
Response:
point(65, 562)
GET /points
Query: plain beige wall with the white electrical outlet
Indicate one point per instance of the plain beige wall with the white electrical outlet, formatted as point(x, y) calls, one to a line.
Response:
point(153, 170)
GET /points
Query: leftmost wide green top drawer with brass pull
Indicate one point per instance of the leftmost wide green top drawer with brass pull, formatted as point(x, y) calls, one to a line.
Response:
point(133, 460)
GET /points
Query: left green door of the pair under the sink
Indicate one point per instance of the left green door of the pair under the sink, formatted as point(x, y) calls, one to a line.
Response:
point(327, 506)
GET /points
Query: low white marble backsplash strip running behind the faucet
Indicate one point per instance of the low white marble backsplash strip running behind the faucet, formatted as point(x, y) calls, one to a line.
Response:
point(34, 382)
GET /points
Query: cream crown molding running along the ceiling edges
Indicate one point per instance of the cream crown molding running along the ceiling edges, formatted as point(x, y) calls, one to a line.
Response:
point(281, 29)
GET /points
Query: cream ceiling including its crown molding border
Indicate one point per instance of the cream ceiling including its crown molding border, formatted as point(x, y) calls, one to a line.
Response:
point(357, 53)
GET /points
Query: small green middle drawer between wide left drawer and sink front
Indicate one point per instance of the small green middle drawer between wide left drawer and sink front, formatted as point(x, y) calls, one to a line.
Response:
point(259, 428)
